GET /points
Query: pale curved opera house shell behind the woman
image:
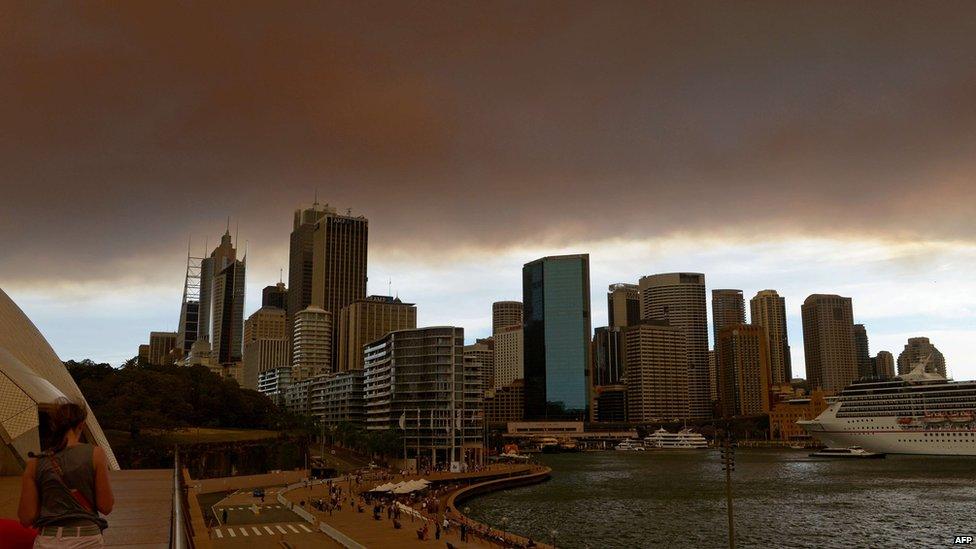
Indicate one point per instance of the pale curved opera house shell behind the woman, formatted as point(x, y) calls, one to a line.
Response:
point(32, 378)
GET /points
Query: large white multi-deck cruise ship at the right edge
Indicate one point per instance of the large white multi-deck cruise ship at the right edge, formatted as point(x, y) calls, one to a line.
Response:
point(917, 413)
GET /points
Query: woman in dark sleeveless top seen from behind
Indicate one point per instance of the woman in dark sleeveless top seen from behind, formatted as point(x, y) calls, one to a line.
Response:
point(64, 489)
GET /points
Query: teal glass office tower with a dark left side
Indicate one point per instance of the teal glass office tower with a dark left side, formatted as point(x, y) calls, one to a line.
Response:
point(556, 332)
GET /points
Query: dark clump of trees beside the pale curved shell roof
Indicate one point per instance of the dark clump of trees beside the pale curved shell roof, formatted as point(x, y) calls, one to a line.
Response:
point(134, 398)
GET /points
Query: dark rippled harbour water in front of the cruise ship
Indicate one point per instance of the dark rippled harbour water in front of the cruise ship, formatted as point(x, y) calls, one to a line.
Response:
point(782, 498)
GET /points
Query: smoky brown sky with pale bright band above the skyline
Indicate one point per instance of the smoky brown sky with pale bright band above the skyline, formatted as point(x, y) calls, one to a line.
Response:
point(799, 146)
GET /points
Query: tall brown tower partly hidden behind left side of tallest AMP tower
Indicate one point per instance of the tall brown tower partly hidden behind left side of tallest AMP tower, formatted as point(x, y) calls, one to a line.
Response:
point(300, 254)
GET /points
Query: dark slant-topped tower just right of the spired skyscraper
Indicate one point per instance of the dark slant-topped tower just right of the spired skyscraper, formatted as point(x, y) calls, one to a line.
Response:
point(227, 313)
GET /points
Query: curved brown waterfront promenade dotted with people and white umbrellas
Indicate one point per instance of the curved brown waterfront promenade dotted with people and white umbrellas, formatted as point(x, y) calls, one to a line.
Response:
point(364, 530)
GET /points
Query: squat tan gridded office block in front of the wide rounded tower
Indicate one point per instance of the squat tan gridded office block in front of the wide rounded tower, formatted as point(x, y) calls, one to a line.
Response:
point(657, 371)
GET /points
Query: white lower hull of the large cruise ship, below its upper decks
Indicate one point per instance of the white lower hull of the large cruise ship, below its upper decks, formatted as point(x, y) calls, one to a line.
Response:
point(886, 435)
